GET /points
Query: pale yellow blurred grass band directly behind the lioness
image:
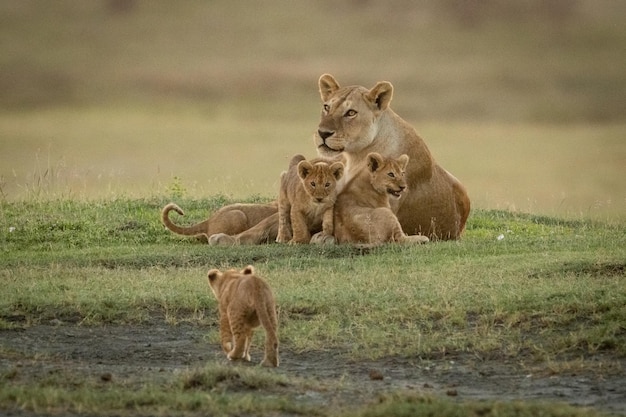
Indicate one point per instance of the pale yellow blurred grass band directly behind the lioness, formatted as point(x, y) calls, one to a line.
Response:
point(579, 167)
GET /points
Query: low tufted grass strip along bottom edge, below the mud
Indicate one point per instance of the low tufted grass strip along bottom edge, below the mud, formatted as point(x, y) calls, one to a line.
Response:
point(224, 390)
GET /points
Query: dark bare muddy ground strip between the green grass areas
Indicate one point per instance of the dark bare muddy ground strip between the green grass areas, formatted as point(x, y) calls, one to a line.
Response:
point(154, 352)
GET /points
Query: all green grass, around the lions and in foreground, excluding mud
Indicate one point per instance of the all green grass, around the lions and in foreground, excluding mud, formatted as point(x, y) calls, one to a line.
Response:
point(544, 291)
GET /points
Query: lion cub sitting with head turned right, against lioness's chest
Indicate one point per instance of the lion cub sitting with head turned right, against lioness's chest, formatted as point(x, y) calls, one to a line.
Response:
point(363, 213)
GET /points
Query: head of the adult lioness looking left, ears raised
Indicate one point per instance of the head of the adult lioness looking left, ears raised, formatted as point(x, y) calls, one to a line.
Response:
point(349, 115)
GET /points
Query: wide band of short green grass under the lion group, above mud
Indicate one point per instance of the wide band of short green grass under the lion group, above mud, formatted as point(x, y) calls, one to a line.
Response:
point(71, 261)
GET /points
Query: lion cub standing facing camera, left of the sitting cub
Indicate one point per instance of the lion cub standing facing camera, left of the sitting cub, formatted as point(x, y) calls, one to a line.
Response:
point(307, 198)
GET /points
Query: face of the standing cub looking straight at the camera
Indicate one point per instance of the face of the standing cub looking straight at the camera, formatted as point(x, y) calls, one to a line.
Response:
point(320, 179)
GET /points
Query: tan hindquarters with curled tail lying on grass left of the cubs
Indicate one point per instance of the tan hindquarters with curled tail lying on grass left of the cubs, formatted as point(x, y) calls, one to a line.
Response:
point(231, 219)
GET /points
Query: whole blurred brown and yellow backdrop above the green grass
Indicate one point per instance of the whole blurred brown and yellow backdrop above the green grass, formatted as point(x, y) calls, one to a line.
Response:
point(524, 101)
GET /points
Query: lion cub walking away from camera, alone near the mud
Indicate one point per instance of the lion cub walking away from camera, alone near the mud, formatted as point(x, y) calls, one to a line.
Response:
point(245, 301)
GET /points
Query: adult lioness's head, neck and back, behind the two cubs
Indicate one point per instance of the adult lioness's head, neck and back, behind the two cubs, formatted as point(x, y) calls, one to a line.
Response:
point(356, 121)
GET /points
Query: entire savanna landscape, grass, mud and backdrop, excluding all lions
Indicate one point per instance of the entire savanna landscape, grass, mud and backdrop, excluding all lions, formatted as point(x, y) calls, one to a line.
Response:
point(111, 109)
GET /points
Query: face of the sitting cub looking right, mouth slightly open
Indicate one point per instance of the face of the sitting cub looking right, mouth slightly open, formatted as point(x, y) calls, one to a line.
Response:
point(387, 174)
